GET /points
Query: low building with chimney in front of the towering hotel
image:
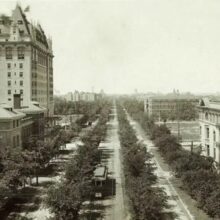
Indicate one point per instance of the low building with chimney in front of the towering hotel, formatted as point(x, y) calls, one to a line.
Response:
point(19, 123)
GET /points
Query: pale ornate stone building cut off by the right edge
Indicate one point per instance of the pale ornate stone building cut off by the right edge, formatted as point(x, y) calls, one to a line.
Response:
point(209, 118)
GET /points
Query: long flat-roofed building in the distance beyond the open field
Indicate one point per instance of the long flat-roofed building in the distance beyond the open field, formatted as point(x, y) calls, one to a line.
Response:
point(161, 106)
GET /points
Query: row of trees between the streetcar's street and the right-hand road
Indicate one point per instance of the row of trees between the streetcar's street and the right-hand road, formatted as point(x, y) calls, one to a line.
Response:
point(147, 201)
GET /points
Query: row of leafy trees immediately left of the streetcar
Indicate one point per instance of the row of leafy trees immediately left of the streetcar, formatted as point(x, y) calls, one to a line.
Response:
point(65, 198)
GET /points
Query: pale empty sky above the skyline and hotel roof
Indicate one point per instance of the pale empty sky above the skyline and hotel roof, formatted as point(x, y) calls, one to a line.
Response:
point(120, 46)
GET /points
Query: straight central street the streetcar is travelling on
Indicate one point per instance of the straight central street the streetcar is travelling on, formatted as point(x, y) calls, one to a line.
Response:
point(114, 206)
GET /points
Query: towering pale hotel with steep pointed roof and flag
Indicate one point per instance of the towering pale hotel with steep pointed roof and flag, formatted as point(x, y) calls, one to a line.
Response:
point(26, 62)
